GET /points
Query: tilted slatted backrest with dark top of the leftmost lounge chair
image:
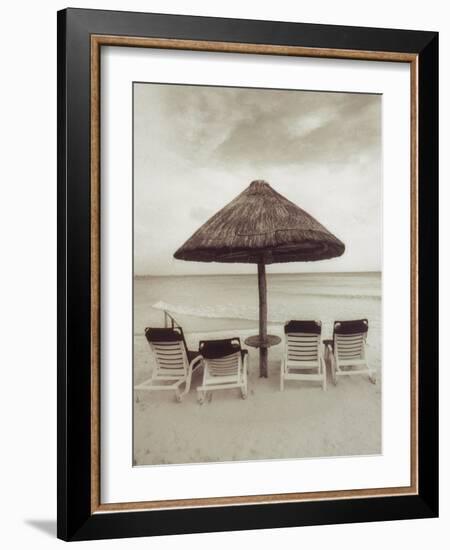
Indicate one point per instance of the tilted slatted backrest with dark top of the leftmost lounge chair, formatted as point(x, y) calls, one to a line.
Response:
point(169, 348)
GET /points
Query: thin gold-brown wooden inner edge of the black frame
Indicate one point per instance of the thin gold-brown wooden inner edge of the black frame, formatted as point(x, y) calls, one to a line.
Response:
point(231, 47)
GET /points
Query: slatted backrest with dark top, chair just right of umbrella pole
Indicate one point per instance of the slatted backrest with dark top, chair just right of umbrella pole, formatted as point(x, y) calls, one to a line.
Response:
point(302, 340)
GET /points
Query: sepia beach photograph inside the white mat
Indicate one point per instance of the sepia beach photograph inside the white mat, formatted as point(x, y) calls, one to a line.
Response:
point(257, 265)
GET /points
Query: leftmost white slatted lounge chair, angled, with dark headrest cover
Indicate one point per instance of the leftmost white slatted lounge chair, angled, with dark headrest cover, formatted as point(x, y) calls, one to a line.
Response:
point(173, 362)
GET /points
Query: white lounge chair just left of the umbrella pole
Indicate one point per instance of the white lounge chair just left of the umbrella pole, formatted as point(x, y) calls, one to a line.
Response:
point(225, 366)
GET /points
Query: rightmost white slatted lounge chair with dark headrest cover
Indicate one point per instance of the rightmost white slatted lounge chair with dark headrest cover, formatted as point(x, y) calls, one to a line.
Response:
point(348, 349)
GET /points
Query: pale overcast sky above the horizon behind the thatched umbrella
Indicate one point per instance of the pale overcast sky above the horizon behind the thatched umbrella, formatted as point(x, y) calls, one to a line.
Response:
point(196, 148)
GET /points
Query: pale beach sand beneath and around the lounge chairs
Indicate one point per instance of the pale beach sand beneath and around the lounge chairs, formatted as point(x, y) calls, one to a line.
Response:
point(303, 421)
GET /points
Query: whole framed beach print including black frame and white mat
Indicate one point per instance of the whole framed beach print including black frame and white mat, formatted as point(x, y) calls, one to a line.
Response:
point(247, 274)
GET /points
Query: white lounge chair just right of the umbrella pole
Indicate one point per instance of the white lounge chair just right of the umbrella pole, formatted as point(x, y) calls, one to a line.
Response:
point(302, 357)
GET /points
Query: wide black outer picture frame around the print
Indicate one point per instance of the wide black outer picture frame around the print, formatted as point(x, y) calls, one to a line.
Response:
point(75, 518)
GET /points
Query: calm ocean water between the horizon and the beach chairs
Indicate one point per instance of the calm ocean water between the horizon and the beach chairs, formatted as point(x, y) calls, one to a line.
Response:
point(217, 303)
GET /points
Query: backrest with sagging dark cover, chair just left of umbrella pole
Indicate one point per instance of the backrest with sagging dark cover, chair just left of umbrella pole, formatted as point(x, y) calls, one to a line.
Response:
point(222, 357)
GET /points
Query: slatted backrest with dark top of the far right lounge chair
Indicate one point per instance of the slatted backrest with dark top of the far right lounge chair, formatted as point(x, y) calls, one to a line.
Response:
point(349, 339)
